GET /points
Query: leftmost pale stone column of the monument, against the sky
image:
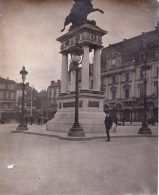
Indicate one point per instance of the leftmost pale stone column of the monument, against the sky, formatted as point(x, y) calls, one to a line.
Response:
point(64, 74)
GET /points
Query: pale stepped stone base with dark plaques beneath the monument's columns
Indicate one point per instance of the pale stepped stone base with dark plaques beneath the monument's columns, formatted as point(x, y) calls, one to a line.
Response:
point(91, 114)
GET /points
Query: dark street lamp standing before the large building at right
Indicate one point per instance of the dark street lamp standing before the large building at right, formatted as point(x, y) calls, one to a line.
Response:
point(145, 129)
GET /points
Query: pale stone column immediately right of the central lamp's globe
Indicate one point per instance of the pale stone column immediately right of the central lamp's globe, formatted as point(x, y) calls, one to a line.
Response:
point(85, 69)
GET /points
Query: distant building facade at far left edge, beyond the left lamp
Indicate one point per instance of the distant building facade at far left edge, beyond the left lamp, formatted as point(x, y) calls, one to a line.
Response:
point(7, 99)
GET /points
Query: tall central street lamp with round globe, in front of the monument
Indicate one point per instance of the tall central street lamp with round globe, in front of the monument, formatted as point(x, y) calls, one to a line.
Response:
point(76, 57)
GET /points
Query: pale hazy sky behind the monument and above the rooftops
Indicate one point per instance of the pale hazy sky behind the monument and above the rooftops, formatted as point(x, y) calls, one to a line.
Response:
point(29, 29)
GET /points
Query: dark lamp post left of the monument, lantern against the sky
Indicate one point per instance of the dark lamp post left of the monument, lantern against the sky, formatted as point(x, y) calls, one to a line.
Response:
point(22, 125)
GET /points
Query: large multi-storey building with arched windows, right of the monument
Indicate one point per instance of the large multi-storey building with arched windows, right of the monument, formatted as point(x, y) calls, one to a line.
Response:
point(122, 77)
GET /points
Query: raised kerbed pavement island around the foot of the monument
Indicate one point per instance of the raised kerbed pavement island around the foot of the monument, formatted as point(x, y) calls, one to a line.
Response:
point(121, 131)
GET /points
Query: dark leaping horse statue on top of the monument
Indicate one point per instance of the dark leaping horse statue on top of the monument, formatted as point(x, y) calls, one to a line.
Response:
point(79, 13)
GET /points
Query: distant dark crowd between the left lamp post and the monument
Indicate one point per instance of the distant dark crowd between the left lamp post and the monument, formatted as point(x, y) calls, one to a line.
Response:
point(40, 120)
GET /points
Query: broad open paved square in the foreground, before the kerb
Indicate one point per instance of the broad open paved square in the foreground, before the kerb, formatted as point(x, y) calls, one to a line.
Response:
point(48, 166)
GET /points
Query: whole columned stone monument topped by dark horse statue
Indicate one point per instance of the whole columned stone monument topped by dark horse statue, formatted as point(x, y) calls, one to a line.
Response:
point(88, 36)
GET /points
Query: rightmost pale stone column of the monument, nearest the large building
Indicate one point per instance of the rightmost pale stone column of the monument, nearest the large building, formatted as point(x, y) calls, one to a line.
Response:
point(96, 71)
